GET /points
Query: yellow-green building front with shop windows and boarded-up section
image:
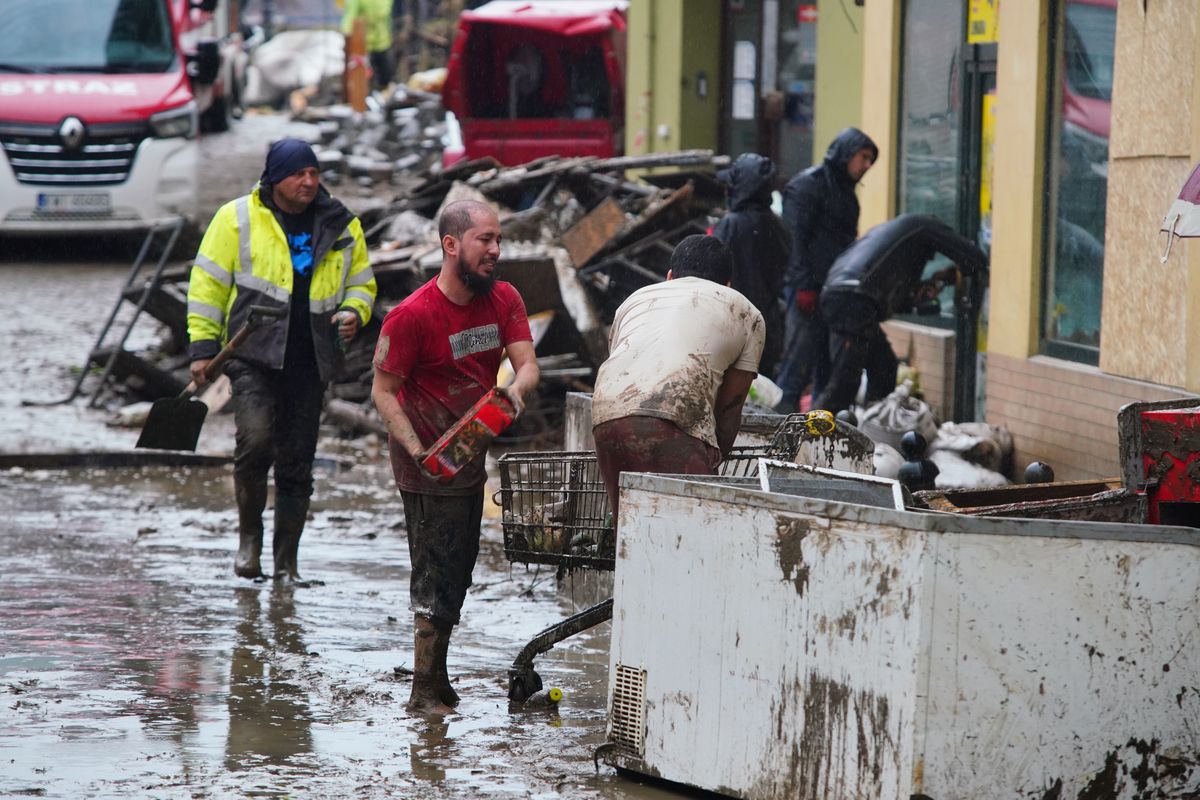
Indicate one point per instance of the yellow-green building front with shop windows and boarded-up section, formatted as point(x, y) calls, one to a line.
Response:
point(1053, 133)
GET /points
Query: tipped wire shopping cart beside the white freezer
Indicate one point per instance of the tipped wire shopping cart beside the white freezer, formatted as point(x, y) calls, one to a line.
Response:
point(555, 512)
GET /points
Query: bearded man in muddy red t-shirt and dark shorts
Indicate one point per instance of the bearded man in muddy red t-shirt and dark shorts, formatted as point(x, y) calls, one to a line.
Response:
point(439, 353)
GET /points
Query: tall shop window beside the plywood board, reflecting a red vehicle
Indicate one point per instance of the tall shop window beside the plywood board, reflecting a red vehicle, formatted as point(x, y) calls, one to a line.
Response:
point(1077, 183)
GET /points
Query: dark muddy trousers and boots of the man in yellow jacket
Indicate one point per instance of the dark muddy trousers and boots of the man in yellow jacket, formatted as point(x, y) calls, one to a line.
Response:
point(278, 414)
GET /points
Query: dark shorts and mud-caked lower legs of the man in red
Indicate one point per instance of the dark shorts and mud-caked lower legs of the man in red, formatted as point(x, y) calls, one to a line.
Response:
point(443, 546)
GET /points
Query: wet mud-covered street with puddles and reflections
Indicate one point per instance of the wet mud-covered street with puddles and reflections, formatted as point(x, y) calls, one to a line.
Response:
point(135, 664)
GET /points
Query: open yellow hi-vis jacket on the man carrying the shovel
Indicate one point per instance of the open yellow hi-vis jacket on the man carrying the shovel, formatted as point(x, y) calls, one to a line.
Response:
point(244, 261)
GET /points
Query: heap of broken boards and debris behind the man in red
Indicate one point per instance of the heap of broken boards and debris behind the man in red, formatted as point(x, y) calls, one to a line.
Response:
point(580, 237)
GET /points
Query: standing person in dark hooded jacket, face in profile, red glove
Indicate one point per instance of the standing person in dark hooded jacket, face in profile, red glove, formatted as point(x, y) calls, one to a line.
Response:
point(821, 212)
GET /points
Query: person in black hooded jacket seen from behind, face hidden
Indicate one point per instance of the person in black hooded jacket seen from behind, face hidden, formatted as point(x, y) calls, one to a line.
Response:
point(760, 245)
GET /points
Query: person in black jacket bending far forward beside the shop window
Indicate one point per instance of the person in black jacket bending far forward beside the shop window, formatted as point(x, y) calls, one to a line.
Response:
point(877, 278)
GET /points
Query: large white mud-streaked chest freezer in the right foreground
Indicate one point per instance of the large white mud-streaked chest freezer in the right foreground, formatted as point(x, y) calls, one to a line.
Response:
point(815, 641)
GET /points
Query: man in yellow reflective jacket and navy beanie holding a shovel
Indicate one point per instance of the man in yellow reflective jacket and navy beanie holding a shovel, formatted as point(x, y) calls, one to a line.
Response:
point(291, 246)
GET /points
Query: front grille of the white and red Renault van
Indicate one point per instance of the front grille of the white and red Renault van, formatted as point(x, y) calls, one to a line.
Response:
point(40, 157)
